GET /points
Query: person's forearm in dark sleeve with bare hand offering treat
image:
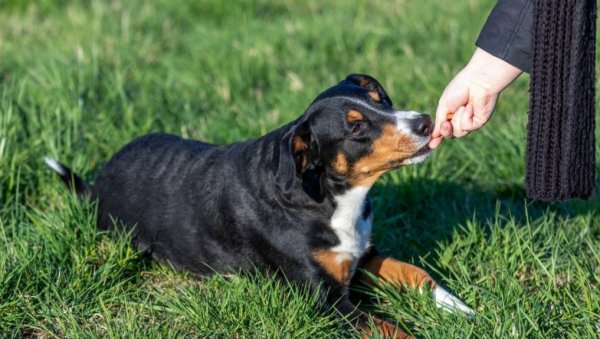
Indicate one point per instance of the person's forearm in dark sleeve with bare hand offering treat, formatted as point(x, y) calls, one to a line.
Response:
point(502, 54)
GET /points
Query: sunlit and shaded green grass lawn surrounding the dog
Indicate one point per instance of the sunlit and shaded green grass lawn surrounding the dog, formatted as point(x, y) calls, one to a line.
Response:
point(78, 79)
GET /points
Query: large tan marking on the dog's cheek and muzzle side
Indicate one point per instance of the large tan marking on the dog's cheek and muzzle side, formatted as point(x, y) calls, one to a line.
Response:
point(390, 146)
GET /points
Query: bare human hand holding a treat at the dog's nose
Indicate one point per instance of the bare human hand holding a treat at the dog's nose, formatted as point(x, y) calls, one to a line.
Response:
point(471, 96)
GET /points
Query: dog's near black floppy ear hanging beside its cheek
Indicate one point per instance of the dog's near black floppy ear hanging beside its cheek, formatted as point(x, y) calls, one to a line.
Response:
point(298, 153)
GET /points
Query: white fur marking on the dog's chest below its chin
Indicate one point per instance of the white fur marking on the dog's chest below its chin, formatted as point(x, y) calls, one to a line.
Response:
point(348, 224)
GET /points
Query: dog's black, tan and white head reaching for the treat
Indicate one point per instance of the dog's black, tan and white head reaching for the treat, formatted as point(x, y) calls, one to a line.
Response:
point(349, 136)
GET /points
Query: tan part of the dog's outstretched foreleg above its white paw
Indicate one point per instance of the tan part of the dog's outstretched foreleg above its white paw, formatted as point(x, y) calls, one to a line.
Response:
point(397, 272)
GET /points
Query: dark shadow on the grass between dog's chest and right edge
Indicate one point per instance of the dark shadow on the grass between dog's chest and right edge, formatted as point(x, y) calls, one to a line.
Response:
point(413, 217)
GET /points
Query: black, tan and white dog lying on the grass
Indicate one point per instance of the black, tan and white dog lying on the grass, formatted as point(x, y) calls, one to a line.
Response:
point(293, 201)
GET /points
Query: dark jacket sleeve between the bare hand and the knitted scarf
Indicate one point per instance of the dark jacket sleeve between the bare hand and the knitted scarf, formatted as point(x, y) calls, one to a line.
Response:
point(507, 32)
